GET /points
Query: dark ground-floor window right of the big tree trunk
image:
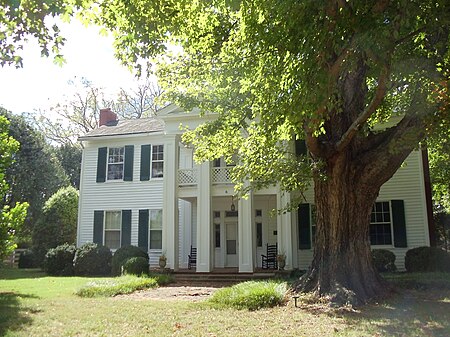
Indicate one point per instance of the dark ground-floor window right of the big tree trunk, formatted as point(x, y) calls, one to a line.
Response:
point(380, 224)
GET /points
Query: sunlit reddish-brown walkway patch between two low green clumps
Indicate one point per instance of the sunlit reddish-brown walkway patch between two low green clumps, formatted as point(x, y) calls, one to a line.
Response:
point(173, 292)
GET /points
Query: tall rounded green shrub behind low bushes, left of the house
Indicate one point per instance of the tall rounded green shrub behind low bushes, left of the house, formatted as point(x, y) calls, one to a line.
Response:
point(58, 224)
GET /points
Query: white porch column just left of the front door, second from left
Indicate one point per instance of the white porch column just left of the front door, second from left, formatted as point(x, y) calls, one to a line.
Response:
point(204, 219)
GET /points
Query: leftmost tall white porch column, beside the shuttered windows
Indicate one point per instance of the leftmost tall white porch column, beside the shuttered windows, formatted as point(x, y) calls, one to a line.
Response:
point(170, 203)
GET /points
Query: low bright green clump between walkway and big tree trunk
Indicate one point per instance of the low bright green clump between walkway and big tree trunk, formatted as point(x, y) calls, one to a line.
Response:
point(251, 295)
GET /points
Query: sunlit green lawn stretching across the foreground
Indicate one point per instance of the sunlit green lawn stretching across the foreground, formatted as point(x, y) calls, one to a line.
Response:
point(32, 304)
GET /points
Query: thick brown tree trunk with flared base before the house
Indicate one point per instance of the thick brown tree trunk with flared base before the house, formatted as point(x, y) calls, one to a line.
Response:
point(342, 267)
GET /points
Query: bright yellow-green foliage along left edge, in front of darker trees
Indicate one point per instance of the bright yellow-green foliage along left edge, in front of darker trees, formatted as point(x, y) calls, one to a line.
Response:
point(12, 215)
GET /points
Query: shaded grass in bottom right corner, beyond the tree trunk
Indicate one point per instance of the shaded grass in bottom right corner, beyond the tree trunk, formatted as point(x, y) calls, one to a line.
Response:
point(408, 313)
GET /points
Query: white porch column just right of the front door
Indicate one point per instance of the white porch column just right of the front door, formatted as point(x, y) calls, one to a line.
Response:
point(245, 234)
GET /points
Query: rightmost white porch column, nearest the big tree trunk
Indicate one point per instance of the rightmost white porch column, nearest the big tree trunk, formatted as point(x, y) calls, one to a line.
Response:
point(284, 230)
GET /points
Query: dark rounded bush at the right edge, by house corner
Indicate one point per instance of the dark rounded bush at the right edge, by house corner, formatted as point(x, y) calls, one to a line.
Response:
point(427, 259)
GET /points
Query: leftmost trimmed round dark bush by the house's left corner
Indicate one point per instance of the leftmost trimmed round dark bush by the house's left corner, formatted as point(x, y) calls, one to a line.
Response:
point(59, 260)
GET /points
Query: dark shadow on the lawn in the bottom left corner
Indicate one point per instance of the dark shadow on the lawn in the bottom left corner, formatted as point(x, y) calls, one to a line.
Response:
point(13, 315)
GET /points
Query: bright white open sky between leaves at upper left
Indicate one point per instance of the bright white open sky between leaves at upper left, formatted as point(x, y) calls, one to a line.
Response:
point(41, 84)
